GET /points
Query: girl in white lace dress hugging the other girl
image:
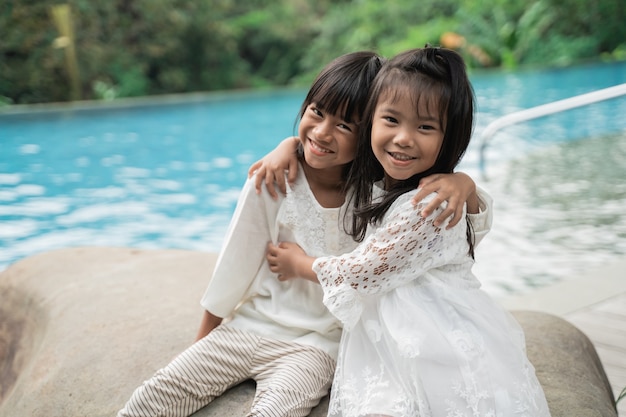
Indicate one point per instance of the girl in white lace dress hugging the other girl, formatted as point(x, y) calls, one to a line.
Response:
point(420, 336)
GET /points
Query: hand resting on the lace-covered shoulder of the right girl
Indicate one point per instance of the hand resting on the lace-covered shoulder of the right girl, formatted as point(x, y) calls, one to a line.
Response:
point(456, 189)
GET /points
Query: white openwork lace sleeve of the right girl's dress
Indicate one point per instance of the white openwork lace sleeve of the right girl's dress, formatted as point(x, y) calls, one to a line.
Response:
point(400, 250)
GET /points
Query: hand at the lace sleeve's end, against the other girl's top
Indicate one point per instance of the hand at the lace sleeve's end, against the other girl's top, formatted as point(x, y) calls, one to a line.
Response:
point(289, 261)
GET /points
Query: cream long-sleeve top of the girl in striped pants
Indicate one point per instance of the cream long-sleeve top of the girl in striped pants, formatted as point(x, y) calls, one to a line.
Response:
point(244, 290)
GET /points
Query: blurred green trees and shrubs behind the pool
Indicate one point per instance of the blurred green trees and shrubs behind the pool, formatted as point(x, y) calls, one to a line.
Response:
point(127, 48)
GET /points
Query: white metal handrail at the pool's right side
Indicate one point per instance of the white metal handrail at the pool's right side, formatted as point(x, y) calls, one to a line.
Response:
point(545, 110)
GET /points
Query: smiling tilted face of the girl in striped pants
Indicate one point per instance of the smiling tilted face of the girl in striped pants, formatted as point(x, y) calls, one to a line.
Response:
point(328, 140)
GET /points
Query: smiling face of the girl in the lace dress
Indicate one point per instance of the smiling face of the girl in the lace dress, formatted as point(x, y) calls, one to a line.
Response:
point(405, 140)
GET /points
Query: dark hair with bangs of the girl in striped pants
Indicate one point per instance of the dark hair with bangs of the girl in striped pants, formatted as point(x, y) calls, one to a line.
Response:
point(342, 87)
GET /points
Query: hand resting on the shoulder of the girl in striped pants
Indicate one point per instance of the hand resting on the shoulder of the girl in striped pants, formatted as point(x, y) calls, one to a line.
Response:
point(271, 168)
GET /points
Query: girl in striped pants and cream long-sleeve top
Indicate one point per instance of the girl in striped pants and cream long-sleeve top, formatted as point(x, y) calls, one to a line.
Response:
point(254, 327)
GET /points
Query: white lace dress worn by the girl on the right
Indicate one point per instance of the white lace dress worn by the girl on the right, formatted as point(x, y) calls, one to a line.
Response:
point(420, 337)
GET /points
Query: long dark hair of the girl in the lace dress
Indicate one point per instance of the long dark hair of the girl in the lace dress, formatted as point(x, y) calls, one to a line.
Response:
point(431, 76)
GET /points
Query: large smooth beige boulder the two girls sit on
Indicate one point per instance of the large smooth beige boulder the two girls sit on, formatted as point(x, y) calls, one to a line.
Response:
point(81, 328)
